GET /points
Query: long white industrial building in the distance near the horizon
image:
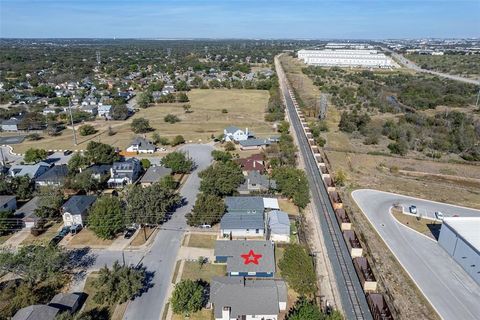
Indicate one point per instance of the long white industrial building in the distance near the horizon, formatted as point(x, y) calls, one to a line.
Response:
point(346, 58)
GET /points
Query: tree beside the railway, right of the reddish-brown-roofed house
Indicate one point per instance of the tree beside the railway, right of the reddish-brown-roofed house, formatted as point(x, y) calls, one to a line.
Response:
point(292, 183)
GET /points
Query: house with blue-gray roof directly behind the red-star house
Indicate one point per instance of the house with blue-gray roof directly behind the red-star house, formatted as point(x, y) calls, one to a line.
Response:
point(244, 217)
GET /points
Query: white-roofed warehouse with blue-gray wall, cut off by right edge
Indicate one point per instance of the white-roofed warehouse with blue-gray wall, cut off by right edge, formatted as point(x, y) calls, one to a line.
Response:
point(460, 237)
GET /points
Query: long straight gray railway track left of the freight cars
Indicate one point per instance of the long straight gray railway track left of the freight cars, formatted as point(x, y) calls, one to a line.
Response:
point(351, 294)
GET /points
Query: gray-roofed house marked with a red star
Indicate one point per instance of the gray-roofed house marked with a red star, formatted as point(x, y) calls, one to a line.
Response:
point(252, 258)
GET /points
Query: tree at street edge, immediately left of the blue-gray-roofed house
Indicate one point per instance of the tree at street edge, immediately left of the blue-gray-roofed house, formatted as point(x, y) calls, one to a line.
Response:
point(208, 209)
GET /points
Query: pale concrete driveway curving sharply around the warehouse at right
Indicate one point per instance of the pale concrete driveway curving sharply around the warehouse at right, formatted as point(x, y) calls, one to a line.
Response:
point(445, 284)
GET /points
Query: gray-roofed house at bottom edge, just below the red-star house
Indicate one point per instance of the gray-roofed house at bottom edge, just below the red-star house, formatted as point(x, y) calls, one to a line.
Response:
point(238, 298)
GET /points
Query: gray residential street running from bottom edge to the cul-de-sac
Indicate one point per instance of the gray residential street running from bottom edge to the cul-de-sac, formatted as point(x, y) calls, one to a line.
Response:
point(162, 255)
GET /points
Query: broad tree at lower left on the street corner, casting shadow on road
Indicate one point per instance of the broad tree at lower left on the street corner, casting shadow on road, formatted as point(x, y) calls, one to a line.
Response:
point(118, 284)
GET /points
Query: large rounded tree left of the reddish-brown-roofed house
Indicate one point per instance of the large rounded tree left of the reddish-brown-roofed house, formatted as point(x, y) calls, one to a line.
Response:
point(221, 179)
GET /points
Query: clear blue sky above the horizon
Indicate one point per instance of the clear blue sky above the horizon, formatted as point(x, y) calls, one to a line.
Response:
point(266, 19)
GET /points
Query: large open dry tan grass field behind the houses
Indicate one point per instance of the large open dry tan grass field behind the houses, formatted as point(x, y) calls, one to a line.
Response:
point(246, 108)
